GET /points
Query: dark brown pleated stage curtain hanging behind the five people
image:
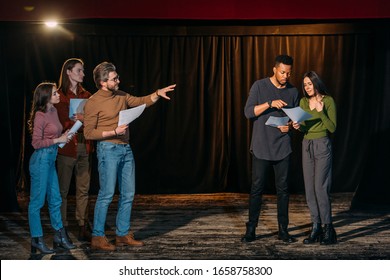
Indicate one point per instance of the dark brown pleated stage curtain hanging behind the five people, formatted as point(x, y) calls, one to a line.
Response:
point(199, 141)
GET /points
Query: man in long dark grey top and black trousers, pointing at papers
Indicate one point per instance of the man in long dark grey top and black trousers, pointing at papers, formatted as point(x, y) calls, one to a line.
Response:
point(270, 146)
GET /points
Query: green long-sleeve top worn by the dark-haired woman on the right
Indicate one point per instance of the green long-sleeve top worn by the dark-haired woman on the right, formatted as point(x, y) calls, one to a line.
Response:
point(322, 122)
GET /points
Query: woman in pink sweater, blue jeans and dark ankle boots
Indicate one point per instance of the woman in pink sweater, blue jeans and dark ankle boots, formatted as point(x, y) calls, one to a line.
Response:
point(45, 129)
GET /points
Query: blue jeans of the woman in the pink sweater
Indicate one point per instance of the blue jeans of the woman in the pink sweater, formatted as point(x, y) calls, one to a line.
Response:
point(44, 184)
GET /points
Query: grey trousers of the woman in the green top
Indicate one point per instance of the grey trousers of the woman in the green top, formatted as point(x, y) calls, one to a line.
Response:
point(317, 174)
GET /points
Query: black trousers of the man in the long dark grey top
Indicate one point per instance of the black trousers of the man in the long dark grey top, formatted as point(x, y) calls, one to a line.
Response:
point(260, 169)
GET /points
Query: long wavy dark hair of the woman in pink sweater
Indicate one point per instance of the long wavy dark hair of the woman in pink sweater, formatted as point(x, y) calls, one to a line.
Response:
point(42, 95)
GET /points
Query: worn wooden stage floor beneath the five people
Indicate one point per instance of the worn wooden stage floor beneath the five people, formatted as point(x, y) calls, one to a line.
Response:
point(209, 226)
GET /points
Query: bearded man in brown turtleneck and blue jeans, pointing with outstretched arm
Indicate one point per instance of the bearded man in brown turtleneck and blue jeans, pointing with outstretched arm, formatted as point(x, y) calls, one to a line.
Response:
point(115, 157)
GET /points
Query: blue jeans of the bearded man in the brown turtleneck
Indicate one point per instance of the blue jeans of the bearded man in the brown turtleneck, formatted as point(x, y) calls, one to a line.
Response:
point(114, 161)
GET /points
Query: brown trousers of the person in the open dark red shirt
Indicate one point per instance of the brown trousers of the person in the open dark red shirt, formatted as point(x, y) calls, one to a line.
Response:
point(81, 166)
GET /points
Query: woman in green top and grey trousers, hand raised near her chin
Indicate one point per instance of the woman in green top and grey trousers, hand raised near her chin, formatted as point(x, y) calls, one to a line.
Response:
point(317, 157)
